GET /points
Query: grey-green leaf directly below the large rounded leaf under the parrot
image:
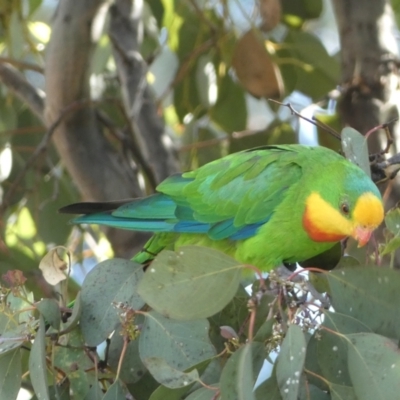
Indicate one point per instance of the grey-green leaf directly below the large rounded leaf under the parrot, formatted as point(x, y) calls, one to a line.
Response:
point(181, 344)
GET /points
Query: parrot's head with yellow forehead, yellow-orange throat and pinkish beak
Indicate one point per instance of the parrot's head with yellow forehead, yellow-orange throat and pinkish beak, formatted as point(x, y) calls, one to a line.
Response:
point(352, 210)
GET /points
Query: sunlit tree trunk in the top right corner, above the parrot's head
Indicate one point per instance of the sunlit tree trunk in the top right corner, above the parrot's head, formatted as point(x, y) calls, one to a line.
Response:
point(369, 56)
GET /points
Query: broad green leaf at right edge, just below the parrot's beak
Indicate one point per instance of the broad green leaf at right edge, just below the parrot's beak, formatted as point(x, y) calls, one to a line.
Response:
point(370, 295)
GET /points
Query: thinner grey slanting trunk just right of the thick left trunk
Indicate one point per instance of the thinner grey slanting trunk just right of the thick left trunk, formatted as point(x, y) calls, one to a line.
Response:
point(146, 125)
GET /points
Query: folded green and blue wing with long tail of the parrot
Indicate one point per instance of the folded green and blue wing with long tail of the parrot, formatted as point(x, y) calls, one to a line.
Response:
point(227, 198)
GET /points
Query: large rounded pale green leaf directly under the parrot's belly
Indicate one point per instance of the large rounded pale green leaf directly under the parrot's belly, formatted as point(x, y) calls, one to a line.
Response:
point(192, 273)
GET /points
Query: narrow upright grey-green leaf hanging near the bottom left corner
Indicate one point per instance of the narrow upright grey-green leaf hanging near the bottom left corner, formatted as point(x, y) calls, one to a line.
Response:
point(37, 363)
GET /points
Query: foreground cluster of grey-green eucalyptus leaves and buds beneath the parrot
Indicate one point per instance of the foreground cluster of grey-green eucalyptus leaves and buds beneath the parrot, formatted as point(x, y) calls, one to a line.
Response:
point(186, 329)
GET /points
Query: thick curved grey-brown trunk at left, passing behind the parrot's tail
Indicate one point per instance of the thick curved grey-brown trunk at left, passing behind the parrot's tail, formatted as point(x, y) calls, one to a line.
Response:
point(99, 172)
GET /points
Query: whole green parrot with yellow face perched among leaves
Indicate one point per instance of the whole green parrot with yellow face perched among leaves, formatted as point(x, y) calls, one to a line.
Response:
point(264, 206)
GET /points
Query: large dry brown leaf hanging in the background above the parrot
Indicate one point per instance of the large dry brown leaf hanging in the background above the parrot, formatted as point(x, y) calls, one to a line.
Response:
point(255, 69)
